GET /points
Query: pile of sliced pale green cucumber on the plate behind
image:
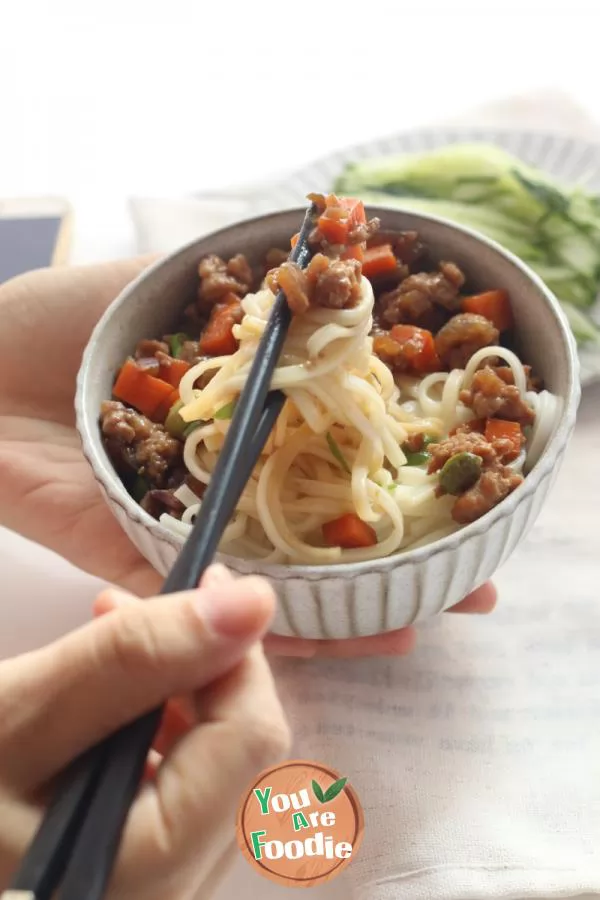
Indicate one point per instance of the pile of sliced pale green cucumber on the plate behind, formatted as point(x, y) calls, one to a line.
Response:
point(554, 229)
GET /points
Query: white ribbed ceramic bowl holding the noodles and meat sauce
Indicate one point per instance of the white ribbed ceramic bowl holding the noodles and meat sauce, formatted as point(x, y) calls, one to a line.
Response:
point(348, 600)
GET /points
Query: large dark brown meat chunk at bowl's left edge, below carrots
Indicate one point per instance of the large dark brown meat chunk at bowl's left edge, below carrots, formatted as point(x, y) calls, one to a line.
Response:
point(134, 442)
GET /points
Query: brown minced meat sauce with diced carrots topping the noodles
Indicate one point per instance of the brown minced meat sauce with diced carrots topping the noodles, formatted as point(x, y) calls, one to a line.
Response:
point(424, 320)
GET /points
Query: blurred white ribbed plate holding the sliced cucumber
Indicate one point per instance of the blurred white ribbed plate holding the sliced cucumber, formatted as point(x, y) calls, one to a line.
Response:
point(567, 159)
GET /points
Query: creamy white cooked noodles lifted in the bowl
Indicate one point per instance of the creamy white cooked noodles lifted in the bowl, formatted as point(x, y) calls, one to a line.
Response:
point(339, 394)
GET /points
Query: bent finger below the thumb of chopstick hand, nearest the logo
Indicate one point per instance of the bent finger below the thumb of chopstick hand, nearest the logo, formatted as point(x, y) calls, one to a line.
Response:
point(184, 819)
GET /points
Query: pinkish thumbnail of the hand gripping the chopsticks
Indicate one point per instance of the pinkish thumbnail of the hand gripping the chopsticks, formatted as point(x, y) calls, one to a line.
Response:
point(241, 610)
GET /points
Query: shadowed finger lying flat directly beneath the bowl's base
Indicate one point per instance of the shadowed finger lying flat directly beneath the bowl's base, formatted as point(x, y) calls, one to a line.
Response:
point(392, 643)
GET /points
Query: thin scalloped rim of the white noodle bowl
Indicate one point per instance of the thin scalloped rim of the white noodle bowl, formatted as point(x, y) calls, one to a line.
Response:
point(115, 491)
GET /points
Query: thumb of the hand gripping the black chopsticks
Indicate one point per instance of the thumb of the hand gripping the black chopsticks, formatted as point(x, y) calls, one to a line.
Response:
point(129, 661)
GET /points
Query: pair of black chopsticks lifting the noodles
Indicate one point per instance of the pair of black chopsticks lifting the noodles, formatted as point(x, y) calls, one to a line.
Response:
point(78, 839)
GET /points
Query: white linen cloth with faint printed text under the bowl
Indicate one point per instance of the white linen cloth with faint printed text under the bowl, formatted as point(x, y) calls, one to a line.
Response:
point(477, 759)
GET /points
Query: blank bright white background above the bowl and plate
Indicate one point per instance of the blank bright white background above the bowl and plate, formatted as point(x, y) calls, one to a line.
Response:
point(99, 100)
